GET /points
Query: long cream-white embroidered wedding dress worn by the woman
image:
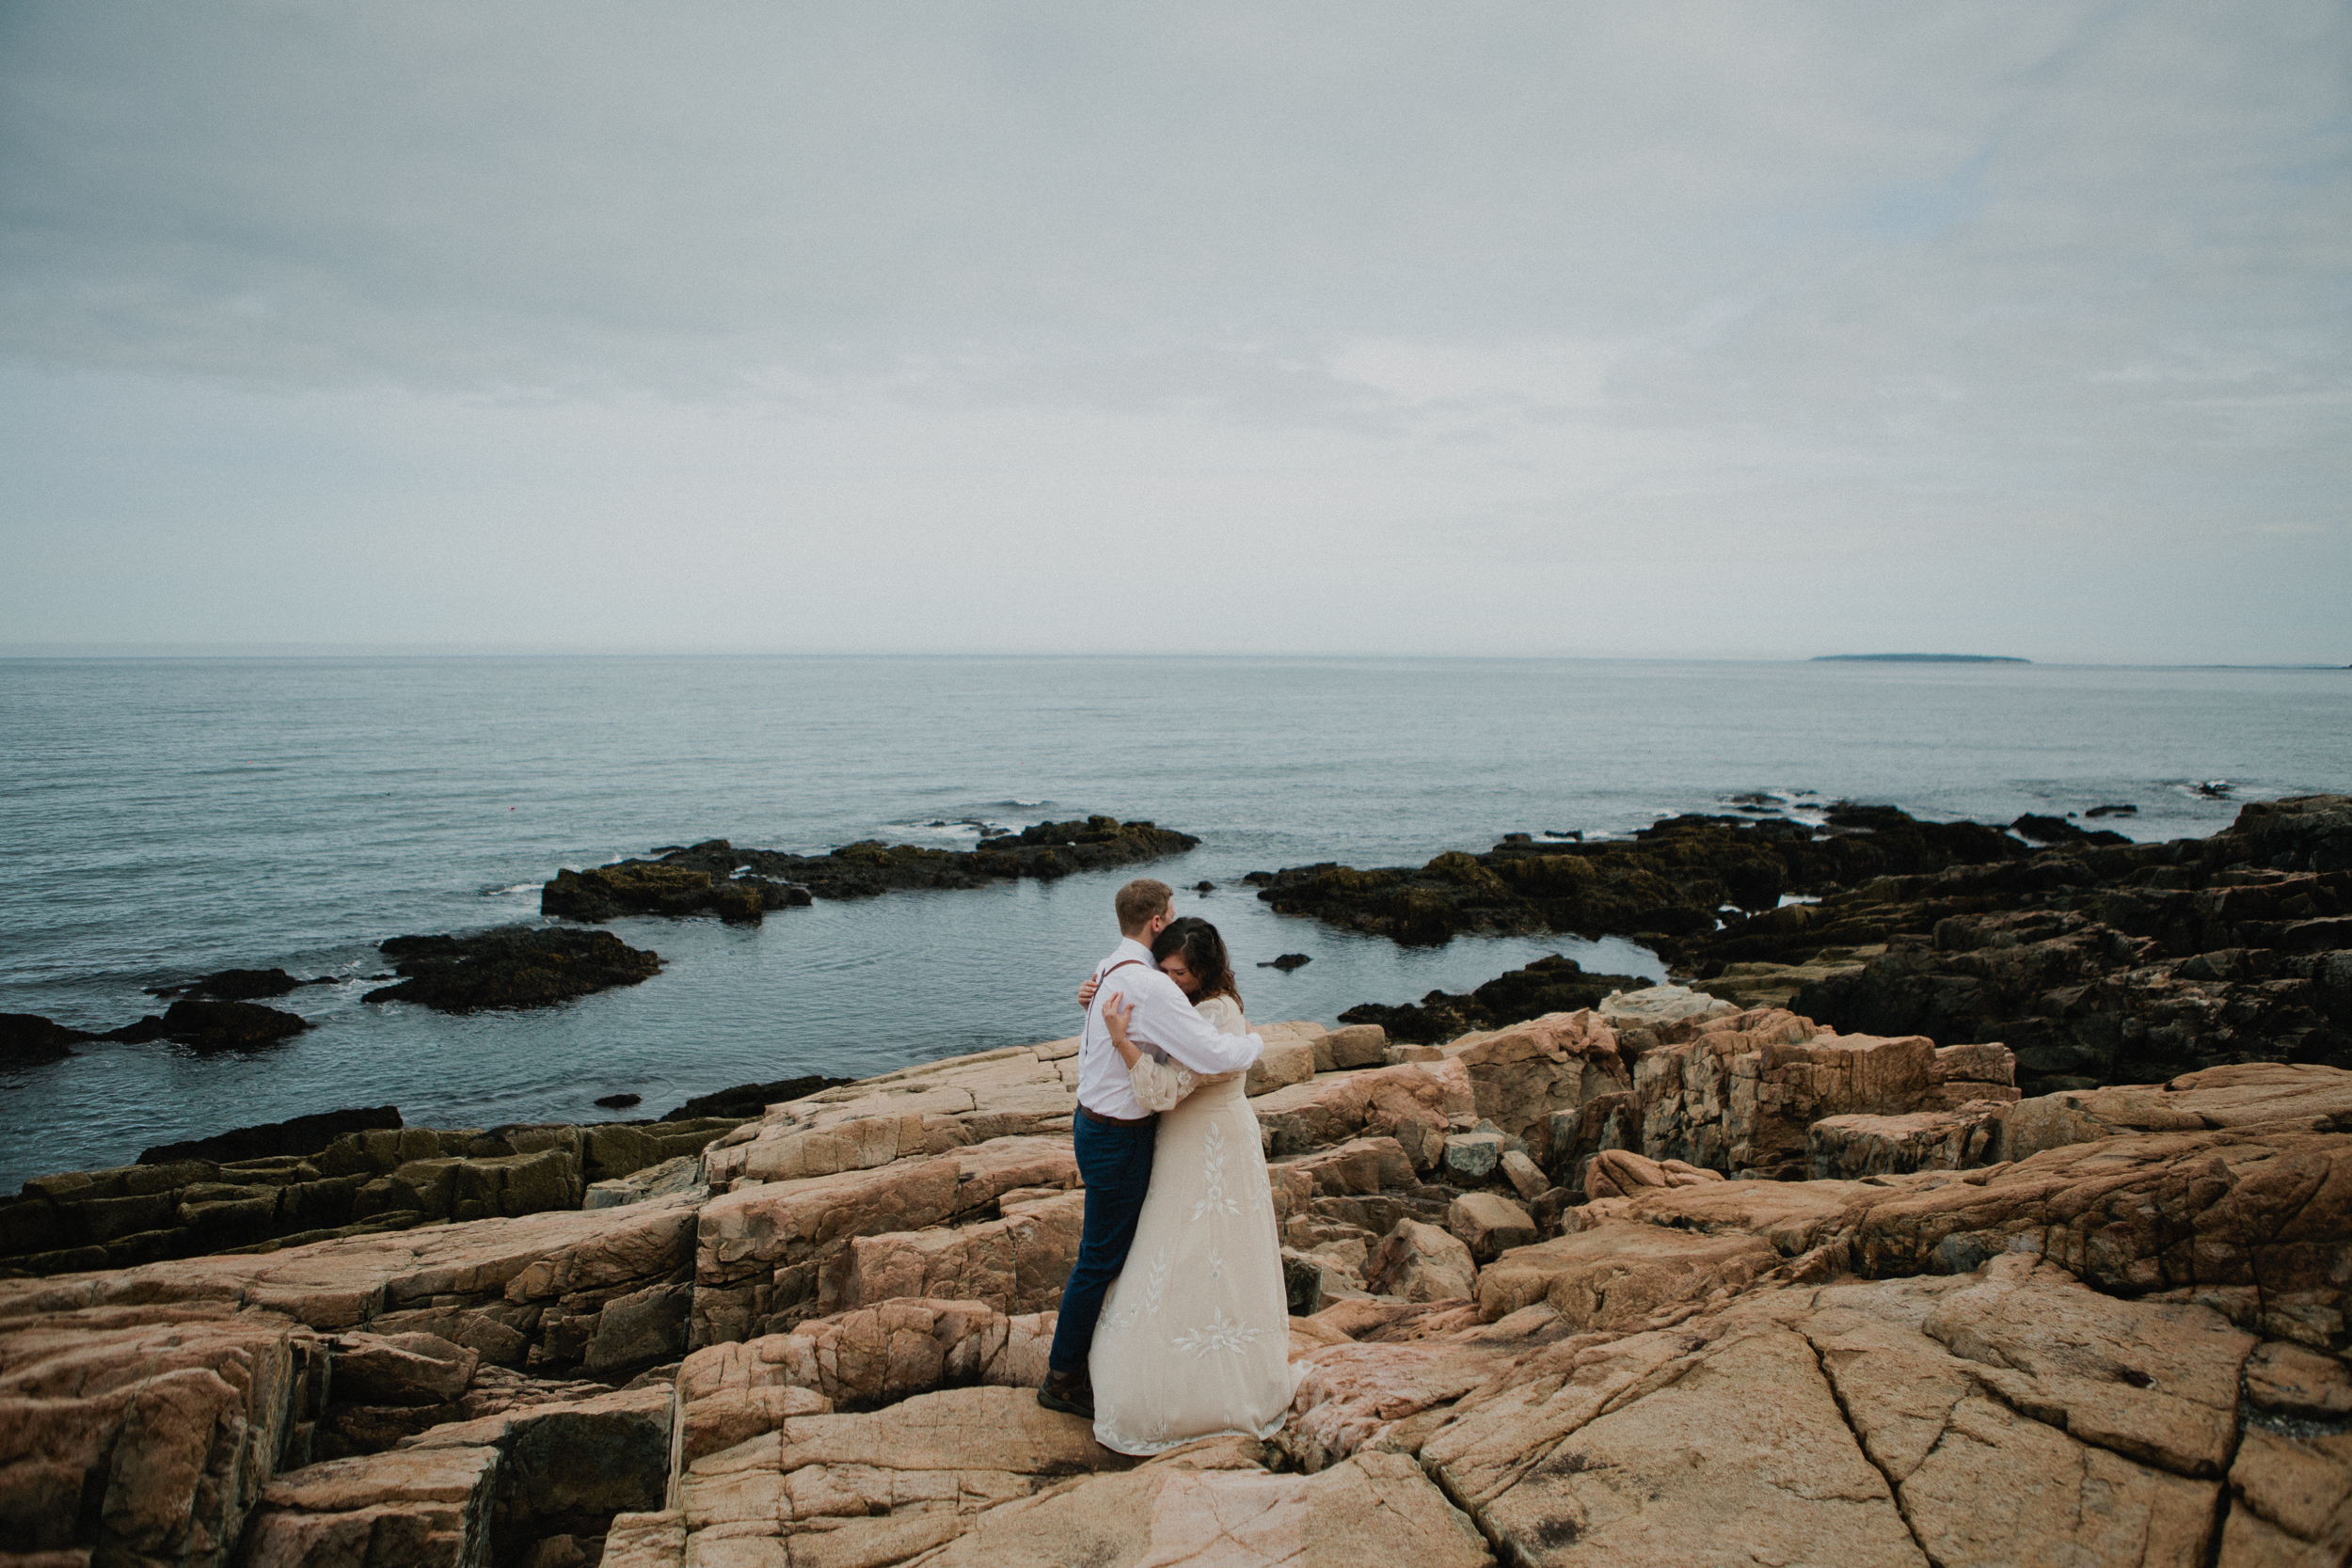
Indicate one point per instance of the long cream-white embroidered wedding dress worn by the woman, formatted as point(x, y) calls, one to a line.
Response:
point(1196, 1334)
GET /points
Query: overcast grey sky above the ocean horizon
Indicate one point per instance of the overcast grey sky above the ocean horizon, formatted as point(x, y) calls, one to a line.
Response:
point(1671, 330)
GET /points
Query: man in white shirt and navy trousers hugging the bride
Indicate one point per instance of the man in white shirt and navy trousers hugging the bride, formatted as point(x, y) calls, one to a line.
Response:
point(1116, 1134)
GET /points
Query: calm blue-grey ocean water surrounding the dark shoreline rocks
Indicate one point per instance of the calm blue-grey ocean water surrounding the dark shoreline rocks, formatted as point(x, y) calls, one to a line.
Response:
point(175, 817)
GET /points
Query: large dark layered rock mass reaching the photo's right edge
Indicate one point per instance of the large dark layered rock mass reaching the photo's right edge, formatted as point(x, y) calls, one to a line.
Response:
point(2094, 963)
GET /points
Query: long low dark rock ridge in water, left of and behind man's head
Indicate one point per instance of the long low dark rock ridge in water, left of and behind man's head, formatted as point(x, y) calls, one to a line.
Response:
point(747, 883)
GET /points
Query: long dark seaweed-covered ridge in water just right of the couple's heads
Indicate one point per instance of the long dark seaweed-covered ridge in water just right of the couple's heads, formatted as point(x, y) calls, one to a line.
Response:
point(1664, 885)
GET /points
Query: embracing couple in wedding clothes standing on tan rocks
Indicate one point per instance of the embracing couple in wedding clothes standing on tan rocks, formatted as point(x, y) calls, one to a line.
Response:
point(1175, 1322)
